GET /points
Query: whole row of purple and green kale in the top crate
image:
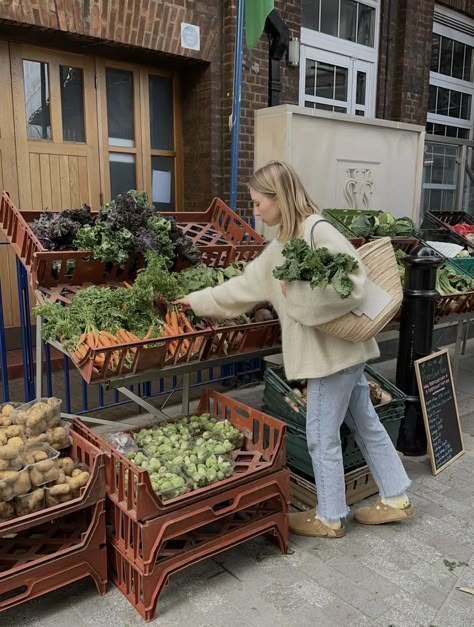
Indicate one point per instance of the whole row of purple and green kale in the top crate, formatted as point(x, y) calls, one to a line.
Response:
point(129, 224)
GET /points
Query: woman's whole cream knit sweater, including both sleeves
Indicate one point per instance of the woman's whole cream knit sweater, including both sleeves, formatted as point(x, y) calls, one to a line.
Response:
point(307, 352)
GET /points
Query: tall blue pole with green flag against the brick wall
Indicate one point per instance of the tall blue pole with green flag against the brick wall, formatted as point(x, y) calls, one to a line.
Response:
point(238, 63)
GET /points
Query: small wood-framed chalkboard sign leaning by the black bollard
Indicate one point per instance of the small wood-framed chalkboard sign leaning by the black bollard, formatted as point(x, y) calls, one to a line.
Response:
point(440, 410)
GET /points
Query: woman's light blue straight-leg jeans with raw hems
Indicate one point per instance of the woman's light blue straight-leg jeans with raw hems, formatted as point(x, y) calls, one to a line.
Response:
point(345, 396)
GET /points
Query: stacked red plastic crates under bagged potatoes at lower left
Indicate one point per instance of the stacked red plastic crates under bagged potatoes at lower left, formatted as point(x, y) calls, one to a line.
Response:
point(55, 546)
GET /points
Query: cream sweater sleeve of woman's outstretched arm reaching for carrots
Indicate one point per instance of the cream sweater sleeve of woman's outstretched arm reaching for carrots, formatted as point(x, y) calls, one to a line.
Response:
point(238, 295)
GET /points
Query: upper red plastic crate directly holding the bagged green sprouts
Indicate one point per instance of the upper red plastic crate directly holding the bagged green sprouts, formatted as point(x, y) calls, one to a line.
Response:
point(263, 452)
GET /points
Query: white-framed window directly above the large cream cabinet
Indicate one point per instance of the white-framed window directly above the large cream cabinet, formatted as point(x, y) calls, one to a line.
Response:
point(339, 56)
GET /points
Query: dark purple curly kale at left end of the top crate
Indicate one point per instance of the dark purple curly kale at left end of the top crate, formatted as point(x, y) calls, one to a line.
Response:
point(57, 231)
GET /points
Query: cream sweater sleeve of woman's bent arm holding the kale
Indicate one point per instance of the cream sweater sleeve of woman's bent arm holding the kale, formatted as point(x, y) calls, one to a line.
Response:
point(312, 307)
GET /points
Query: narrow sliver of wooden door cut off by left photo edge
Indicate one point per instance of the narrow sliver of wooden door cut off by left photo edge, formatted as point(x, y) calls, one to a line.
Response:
point(9, 183)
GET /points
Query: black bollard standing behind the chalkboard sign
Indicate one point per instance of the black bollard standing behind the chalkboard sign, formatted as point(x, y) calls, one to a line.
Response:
point(416, 341)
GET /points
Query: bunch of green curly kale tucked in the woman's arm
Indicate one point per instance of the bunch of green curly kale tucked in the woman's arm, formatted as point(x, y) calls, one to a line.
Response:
point(318, 266)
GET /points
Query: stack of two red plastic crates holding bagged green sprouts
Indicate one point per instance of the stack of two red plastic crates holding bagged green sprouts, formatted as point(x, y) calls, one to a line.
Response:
point(149, 538)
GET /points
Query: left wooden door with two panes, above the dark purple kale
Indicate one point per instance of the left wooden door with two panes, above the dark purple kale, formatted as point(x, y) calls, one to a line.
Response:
point(55, 120)
